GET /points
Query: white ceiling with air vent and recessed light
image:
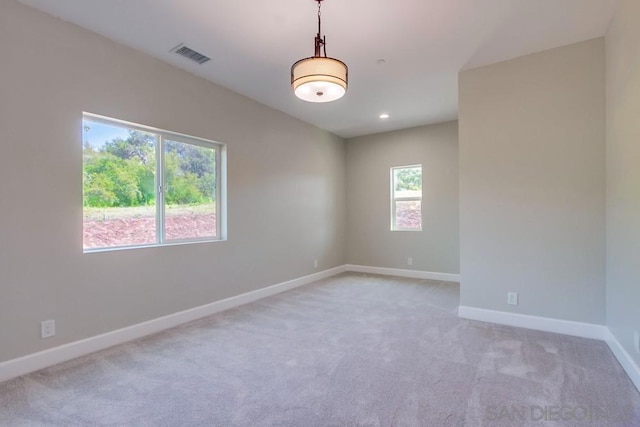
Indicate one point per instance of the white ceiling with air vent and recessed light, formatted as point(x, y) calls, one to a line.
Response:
point(424, 43)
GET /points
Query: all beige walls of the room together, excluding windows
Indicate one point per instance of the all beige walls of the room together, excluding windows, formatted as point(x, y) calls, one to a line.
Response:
point(532, 186)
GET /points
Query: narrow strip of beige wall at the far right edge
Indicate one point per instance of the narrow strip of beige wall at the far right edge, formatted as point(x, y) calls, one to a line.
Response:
point(623, 175)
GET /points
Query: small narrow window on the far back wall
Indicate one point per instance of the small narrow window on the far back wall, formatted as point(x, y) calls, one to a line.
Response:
point(406, 198)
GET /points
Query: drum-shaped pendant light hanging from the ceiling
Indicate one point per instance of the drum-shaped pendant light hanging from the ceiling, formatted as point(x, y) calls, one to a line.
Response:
point(319, 78)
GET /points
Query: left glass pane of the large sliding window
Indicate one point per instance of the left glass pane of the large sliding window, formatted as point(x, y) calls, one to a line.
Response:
point(119, 168)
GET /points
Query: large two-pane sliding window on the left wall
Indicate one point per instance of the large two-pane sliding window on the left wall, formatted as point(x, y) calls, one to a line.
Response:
point(144, 186)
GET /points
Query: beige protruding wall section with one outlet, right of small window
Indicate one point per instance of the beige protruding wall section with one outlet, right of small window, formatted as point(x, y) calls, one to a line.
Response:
point(532, 184)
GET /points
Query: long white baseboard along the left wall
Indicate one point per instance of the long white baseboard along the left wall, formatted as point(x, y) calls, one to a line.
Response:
point(43, 359)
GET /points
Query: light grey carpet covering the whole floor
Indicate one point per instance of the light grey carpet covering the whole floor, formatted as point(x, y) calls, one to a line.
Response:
point(353, 350)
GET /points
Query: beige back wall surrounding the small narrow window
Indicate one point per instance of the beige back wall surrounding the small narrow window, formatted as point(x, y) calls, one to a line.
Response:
point(369, 158)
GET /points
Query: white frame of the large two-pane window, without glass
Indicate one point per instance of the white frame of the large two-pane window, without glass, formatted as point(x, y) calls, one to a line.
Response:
point(221, 182)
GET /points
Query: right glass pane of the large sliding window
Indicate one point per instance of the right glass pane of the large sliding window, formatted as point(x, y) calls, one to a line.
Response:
point(190, 191)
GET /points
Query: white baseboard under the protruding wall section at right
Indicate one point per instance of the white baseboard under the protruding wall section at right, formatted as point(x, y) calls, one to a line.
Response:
point(567, 327)
